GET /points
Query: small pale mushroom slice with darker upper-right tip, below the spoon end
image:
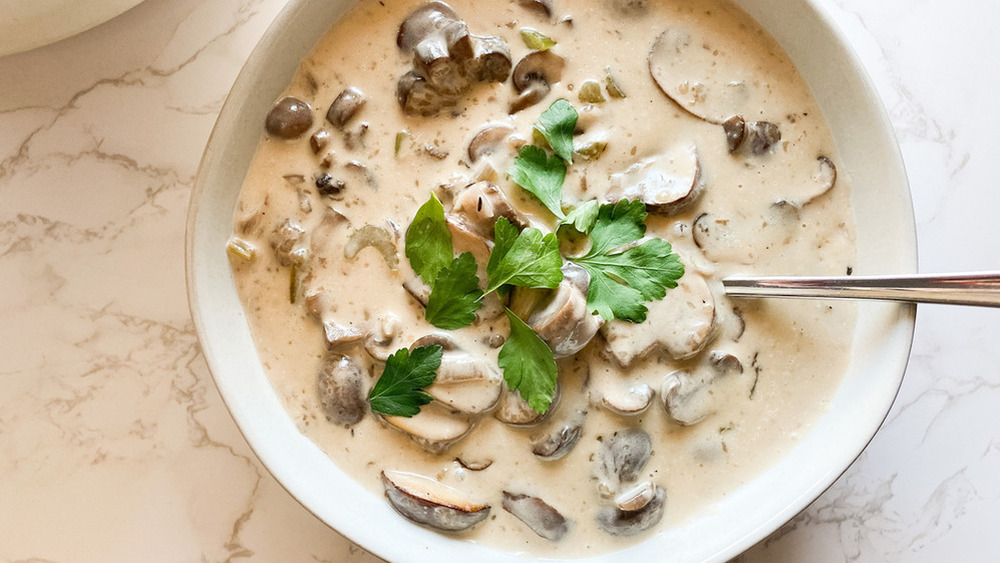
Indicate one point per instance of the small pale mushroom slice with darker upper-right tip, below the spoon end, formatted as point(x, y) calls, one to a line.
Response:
point(689, 396)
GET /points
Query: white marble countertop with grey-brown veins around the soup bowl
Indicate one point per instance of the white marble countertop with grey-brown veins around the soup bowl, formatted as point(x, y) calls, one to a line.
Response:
point(115, 445)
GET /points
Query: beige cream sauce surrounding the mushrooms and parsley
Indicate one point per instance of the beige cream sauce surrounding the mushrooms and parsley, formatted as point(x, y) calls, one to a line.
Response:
point(793, 352)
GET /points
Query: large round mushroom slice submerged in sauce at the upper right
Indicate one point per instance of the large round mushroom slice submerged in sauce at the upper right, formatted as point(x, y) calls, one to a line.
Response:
point(702, 72)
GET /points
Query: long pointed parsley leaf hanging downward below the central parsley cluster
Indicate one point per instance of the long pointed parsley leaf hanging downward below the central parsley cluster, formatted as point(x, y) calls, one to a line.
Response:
point(528, 365)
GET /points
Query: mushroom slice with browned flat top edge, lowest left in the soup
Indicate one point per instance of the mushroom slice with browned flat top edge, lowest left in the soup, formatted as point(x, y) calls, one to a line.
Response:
point(431, 503)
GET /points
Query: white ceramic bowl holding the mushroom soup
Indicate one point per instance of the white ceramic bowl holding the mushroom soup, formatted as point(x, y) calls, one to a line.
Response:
point(886, 243)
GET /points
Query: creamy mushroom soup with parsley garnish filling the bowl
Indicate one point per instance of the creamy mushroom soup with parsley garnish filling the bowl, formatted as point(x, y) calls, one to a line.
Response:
point(443, 187)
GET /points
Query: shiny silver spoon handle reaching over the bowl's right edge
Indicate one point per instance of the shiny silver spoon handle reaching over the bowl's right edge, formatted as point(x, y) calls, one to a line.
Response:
point(974, 288)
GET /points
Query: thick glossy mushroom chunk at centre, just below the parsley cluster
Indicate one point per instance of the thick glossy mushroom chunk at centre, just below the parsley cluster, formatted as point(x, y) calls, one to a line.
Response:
point(560, 316)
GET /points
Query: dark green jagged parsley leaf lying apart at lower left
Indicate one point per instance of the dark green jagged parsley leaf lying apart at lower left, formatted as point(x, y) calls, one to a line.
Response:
point(399, 390)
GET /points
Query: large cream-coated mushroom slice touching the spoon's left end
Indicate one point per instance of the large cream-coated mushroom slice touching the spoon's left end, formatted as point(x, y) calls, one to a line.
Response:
point(684, 321)
